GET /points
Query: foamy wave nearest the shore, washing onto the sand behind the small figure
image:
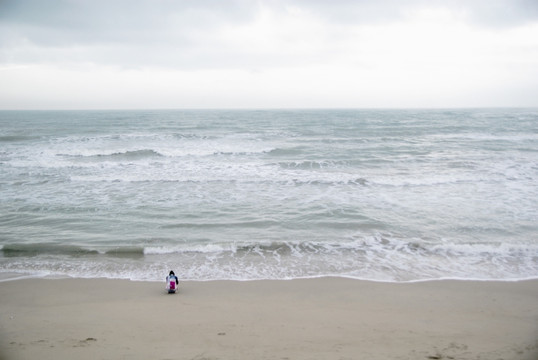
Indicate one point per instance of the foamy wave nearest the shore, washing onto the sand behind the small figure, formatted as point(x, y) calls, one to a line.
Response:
point(377, 258)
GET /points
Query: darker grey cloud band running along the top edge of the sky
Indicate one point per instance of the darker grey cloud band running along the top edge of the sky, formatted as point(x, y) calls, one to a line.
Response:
point(57, 22)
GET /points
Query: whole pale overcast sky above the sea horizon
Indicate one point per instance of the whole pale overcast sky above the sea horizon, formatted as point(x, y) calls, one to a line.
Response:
point(153, 54)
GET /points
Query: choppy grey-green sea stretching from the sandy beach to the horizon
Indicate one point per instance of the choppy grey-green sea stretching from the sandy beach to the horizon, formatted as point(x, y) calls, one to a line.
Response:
point(383, 195)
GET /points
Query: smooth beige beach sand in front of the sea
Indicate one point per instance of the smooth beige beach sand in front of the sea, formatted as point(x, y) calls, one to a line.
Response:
point(327, 318)
